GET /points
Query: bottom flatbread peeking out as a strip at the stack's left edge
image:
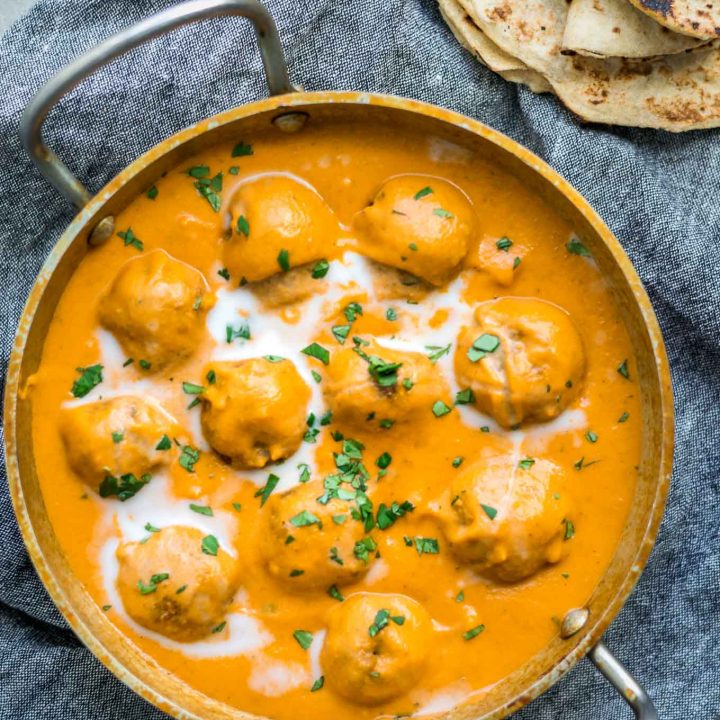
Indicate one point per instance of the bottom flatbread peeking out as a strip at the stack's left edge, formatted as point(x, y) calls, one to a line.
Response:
point(489, 54)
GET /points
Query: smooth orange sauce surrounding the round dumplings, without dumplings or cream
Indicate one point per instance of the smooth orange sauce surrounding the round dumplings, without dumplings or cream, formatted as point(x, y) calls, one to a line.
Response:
point(346, 165)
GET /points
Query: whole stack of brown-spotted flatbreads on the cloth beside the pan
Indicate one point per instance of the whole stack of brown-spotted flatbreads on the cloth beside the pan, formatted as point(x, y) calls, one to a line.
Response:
point(645, 63)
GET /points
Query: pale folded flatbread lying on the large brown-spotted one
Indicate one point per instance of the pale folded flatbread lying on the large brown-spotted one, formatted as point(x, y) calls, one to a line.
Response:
point(615, 28)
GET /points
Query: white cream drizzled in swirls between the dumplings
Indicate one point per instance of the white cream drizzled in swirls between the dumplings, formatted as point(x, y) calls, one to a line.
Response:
point(272, 335)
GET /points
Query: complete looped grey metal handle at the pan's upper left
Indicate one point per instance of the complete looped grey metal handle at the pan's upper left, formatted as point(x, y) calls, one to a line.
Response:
point(54, 170)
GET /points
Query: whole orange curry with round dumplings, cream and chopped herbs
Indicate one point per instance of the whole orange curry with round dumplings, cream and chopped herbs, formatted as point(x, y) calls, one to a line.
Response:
point(339, 424)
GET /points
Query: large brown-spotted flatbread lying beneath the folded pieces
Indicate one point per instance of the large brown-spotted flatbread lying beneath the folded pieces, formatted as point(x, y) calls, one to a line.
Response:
point(677, 92)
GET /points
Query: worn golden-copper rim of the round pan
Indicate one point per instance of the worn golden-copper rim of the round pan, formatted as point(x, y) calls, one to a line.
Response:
point(289, 103)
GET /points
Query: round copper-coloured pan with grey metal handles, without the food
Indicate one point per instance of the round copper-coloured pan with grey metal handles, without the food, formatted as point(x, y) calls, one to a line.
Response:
point(287, 110)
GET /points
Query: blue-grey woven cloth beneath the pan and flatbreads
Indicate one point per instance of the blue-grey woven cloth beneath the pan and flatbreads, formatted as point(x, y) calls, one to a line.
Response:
point(657, 191)
